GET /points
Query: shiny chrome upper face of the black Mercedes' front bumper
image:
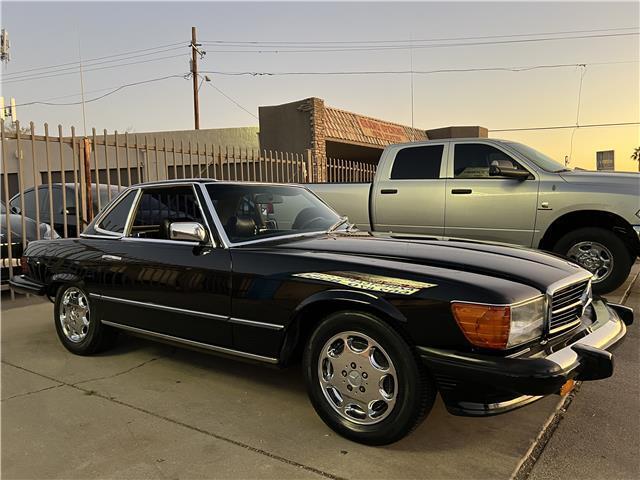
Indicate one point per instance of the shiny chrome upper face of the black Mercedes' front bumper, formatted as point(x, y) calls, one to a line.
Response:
point(605, 331)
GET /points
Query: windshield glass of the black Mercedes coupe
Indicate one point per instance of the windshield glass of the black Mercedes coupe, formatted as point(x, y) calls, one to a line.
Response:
point(251, 212)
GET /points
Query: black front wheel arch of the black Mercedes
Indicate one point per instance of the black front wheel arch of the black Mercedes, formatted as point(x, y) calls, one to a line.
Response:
point(312, 310)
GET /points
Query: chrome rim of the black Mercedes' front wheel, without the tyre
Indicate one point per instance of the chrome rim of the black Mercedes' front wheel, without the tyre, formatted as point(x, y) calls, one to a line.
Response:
point(358, 378)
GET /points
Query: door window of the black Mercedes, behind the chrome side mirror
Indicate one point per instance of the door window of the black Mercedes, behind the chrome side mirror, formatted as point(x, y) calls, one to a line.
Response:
point(158, 207)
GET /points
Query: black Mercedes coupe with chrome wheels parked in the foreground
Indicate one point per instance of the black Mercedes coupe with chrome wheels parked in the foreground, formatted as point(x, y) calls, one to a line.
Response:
point(270, 273)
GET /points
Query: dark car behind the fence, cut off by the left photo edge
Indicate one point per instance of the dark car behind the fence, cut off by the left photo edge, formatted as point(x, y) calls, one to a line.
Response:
point(15, 225)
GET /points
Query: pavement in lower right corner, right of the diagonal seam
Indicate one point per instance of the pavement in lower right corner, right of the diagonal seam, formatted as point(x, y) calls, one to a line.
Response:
point(598, 436)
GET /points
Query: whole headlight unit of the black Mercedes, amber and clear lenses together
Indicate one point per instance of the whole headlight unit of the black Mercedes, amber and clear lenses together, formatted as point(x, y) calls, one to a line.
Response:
point(501, 326)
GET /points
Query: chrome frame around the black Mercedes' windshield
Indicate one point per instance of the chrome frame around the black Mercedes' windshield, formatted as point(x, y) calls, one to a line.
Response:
point(222, 234)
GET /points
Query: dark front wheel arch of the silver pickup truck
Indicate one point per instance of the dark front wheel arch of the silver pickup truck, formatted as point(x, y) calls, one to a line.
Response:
point(590, 218)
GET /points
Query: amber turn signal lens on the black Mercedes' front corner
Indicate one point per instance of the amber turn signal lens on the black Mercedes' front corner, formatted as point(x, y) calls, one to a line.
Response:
point(484, 326)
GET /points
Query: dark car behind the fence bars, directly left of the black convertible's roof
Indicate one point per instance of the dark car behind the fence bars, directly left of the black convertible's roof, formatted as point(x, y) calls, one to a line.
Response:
point(59, 213)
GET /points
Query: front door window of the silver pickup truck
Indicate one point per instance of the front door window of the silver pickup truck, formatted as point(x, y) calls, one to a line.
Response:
point(472, 160)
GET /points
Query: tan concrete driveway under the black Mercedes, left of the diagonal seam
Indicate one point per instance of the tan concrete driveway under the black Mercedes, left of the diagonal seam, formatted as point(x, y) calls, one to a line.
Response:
point(147, 410)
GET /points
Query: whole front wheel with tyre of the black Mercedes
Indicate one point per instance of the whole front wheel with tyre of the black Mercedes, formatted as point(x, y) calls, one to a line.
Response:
point(364, 380)
